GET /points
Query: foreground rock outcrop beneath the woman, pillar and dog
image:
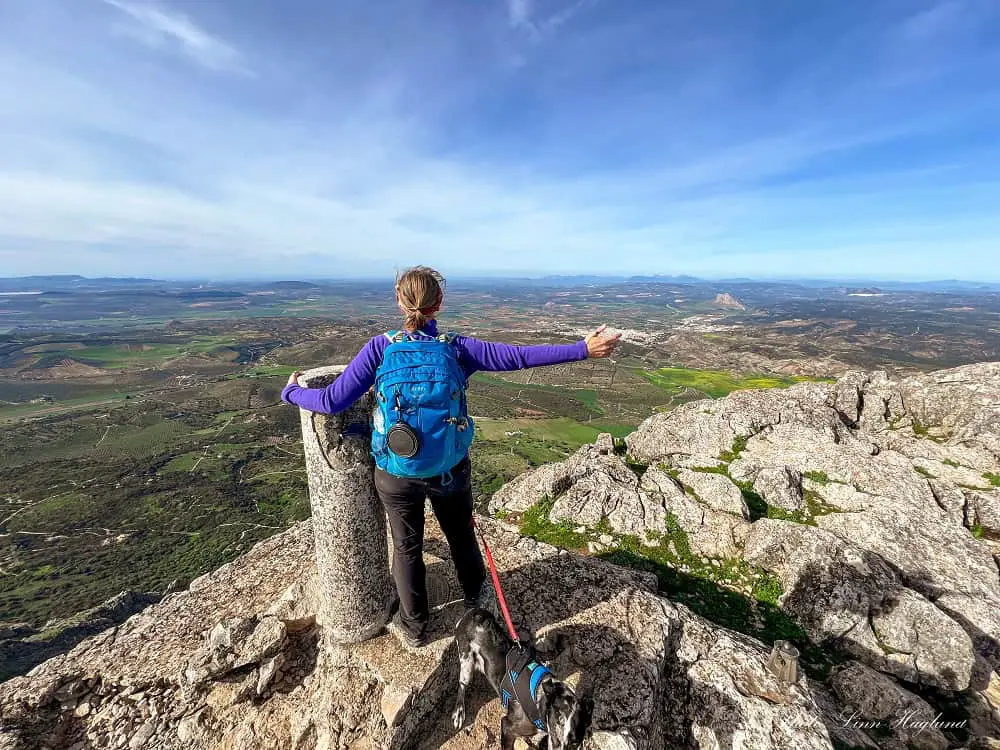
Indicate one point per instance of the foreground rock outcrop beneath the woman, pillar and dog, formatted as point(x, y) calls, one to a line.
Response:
point(237, 662)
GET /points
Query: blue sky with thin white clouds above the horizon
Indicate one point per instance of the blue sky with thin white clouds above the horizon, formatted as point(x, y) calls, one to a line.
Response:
point(249, 138)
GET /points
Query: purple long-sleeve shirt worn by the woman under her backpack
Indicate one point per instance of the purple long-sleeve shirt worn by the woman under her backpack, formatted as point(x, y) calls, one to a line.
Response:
point(473, 355)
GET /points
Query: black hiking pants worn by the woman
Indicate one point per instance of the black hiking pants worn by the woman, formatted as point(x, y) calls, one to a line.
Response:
point(403, 498)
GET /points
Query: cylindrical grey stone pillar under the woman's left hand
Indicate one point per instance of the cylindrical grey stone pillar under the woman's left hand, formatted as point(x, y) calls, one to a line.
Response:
point(352, 555)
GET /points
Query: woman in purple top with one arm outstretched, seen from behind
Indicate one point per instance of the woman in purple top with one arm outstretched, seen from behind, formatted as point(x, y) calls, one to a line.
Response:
point(420, 294)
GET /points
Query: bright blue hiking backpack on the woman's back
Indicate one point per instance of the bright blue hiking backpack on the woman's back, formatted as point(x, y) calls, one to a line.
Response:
point(421, 423)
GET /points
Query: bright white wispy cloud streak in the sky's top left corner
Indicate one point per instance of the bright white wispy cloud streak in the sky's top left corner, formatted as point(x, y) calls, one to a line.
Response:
point(160, 28)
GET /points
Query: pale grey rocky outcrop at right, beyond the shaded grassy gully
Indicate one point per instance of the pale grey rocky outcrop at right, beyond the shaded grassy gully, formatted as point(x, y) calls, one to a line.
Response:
point(881, 502)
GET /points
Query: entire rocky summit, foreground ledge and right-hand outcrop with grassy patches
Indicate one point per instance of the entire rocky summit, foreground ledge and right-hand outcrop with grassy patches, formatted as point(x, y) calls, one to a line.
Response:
point(859, 519)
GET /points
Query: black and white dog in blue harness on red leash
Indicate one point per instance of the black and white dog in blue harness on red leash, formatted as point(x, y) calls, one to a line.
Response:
point(556, 718)
